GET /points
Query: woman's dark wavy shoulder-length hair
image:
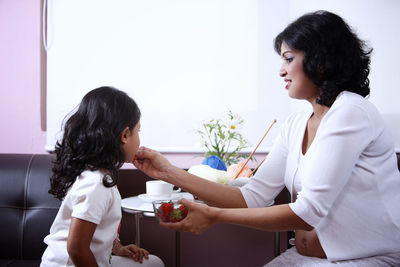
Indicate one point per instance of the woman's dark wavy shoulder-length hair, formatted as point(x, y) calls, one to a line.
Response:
point(335, 59)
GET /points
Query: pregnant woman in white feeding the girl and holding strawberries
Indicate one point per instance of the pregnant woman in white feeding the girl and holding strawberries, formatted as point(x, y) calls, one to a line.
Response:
point(337, 159)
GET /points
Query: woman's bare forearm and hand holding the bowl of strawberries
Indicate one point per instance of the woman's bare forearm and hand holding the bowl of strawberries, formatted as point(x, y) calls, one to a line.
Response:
point(274, 218)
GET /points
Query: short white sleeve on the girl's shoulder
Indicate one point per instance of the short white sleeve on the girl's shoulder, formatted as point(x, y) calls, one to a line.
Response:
point(90, 200)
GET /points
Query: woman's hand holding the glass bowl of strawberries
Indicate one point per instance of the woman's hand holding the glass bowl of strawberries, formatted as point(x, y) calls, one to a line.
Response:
point(199, 218)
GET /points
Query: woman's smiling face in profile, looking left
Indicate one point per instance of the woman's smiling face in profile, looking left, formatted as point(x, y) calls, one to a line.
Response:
point(298, 84)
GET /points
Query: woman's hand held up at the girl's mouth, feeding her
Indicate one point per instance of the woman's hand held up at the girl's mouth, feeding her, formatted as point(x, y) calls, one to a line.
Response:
point(152, 163)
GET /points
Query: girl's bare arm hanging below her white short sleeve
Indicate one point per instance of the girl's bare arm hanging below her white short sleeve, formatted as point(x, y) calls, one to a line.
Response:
point(78, 243)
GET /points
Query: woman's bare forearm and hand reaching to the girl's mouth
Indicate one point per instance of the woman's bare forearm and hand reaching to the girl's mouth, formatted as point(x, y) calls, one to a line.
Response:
point(155, 165)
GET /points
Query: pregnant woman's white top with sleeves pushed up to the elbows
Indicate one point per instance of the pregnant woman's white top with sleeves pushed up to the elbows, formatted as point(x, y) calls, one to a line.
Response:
point(347, 184)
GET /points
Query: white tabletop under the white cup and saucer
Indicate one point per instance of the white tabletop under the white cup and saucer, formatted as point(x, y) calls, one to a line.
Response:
point(136, 203)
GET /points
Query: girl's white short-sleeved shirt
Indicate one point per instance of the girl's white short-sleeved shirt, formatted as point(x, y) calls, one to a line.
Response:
point(88, 199)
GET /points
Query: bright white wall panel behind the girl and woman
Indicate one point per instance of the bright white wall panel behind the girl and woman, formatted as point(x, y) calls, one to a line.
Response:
point(185, 61)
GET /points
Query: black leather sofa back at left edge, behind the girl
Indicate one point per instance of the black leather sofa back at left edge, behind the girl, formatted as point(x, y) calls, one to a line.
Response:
point(26, 209)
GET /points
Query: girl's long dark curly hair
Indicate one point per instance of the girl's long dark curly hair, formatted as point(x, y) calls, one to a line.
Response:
point(92, 138)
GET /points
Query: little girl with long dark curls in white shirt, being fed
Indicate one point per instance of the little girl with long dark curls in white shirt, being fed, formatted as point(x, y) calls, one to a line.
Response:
point(98, 138)
